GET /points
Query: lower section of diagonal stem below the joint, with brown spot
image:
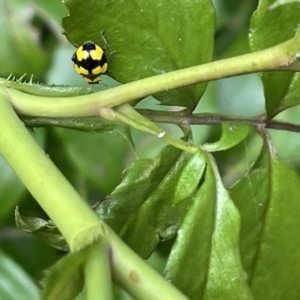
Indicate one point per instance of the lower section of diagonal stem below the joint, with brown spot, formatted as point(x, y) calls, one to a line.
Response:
point(136, 277)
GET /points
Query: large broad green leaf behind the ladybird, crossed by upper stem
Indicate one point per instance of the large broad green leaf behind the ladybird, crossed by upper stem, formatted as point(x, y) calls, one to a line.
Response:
point(149, 37)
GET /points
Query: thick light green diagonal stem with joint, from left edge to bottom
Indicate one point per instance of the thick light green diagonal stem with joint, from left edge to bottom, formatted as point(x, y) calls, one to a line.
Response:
point(73, 217)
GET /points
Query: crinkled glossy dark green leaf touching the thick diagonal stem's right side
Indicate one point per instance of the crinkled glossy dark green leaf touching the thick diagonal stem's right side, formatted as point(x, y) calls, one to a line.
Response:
point(150, 203)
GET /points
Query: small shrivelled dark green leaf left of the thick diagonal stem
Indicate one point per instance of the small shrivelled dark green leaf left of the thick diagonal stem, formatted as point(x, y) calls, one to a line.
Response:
point(43, 229)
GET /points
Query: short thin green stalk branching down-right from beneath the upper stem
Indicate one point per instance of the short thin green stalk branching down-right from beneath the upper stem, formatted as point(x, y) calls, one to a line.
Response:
point(128, 115)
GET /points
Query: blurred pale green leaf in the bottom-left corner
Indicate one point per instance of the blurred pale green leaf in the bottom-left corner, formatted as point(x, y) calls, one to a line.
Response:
point(14, 282)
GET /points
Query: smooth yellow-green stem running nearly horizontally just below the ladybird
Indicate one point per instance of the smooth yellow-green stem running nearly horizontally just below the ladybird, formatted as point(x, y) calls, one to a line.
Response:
point(278, 57)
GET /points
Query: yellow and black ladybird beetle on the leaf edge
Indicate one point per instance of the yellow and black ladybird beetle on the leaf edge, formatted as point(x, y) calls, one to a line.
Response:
point(90, 60)
